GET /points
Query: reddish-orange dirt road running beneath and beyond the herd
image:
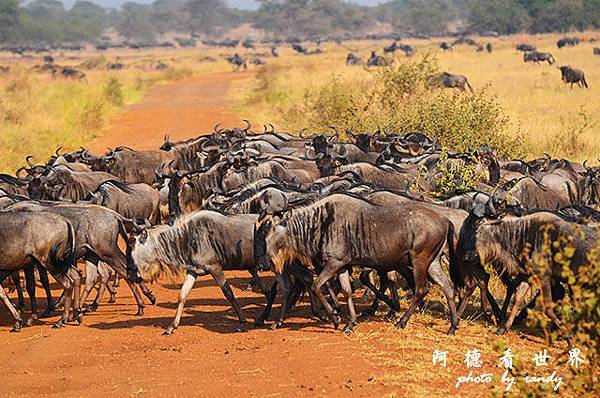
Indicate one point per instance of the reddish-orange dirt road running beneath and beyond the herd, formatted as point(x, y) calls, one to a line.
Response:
point(114, 353)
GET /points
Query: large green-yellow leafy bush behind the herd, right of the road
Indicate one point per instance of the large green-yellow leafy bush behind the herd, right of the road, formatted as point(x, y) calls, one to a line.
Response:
point(400, 98)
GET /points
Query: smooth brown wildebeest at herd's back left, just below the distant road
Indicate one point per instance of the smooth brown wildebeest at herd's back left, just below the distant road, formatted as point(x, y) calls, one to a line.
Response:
point(132, 166)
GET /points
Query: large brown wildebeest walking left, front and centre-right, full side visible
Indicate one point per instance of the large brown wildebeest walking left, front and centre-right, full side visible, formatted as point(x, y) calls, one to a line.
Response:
point(341, 231)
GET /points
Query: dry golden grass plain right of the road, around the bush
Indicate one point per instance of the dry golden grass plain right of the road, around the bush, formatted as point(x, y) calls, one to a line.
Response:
point(540, 106)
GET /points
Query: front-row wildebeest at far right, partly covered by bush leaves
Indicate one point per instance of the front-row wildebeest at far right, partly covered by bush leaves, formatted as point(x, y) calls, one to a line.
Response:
point(511, 245)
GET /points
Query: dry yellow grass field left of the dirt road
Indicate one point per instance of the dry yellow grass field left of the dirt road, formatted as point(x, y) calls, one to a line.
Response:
point(38, 113)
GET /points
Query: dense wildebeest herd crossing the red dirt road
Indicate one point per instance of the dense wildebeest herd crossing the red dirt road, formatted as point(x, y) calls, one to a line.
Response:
point(314, 209)
